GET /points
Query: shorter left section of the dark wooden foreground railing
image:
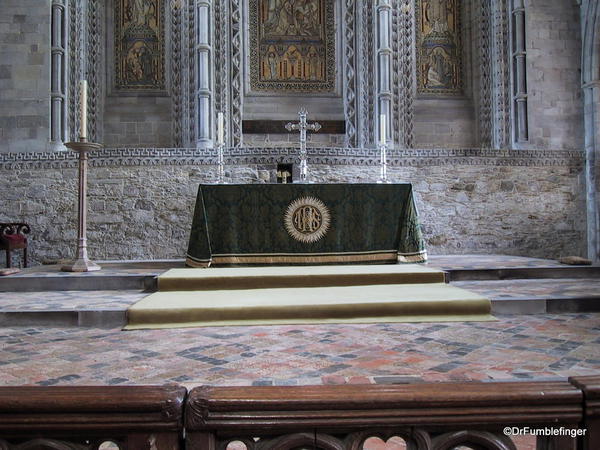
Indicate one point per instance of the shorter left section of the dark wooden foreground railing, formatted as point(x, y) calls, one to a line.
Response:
point(79, 417)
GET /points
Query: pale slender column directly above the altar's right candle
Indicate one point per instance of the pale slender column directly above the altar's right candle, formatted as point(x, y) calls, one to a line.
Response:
point(384, 57)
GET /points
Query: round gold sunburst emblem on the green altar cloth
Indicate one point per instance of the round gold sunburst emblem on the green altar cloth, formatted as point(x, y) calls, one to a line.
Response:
point(307, 219)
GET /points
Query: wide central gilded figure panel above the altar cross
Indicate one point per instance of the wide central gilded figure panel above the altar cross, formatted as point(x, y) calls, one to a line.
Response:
point(292, 45)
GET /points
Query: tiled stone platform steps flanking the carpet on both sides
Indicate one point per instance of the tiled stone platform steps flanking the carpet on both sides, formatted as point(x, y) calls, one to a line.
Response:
point(46, 296)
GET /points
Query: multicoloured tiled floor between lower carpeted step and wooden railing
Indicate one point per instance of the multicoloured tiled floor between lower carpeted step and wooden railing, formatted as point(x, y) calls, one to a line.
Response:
point(514, 348)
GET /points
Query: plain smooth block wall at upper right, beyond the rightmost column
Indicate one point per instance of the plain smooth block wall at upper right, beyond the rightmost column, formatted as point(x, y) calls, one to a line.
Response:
point(555, 102)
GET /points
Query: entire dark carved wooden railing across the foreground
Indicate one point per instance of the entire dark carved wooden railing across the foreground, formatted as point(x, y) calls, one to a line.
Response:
point(437, 416)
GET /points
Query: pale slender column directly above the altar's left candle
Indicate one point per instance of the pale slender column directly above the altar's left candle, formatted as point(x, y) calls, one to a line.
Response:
point(204, 74)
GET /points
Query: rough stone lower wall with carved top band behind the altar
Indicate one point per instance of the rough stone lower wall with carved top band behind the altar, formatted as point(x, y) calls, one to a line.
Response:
point(141, 200)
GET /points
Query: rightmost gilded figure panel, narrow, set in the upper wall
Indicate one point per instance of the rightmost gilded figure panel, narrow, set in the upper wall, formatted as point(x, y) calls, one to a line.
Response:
point(439, 63)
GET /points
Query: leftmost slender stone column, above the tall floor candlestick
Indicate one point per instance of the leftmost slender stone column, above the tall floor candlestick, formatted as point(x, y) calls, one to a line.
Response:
point(58, 75)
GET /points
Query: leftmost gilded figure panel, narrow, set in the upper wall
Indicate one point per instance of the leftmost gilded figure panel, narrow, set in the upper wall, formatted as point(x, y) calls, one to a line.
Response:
point(139, 45)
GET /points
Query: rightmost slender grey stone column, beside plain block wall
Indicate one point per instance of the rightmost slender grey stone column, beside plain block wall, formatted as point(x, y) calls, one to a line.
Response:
point(519, 53)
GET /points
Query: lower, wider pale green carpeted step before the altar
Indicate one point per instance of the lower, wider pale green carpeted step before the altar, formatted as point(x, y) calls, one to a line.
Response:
point(341, 304)
